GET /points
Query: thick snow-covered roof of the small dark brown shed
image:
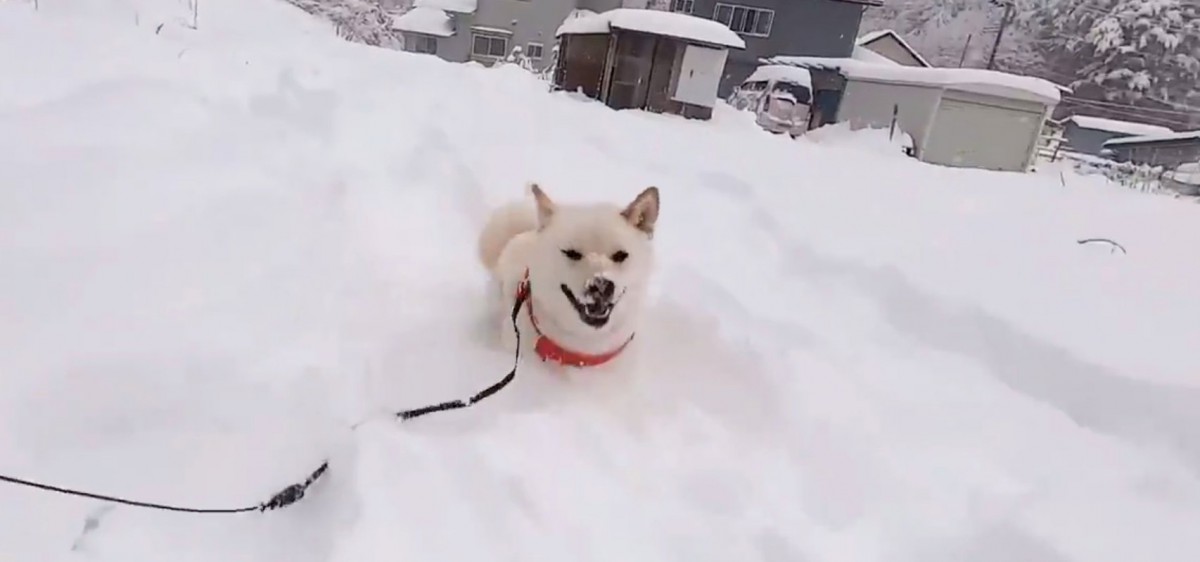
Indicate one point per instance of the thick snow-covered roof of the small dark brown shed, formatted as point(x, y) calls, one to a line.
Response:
point(657, 22)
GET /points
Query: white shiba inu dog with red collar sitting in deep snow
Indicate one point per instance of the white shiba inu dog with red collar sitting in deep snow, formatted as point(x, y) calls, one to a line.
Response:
point(584, 270)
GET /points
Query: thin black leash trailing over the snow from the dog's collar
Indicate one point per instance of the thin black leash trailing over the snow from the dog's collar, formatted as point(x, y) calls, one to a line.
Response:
point(296, 492)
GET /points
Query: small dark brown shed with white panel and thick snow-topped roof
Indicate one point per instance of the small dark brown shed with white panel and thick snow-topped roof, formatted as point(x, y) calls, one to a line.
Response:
point(645, 59)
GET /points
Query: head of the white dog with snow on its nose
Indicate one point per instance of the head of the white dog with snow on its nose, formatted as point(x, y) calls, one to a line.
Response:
point(593, 262)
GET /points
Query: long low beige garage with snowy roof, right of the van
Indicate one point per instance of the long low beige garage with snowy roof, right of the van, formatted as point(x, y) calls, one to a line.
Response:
point(956, 117)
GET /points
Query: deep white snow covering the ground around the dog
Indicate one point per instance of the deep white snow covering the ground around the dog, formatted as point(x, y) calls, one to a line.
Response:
point(219, 248)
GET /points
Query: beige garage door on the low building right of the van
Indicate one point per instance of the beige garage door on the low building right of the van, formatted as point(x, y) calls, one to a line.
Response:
point(969, 134)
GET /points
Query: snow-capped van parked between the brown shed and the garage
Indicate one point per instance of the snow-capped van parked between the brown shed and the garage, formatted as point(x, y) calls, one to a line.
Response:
point(781, 97)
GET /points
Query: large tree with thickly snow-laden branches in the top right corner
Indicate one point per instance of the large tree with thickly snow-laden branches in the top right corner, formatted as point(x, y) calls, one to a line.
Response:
point(1129, 51)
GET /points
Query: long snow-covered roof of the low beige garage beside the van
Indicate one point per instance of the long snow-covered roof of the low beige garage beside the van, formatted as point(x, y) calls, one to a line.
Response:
point(964, 80)
